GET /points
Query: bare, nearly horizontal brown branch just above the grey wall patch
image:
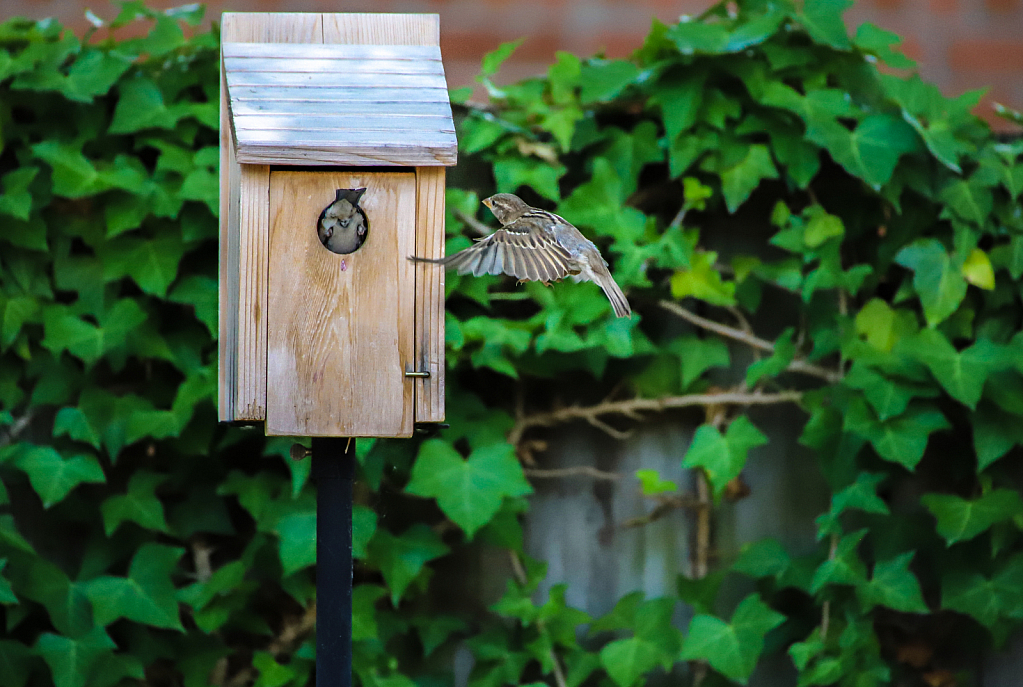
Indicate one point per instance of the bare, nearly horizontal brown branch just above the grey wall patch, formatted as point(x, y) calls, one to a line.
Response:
point(633, 407)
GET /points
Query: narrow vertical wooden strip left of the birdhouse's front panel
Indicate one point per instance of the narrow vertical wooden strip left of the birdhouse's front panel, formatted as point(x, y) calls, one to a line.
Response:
point(254, 231)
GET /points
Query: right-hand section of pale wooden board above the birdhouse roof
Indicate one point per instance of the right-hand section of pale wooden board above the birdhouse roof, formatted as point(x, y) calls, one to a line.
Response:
point(368, 29)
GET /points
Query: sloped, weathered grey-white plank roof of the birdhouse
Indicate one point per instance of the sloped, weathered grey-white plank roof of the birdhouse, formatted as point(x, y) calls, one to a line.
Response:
point(298, 104)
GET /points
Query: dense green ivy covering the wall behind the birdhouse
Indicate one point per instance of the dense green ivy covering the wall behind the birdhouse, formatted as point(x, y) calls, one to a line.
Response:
point(755, 176)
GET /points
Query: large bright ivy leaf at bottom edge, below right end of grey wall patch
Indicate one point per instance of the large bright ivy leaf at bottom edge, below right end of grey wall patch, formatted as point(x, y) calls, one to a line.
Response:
point(732, 649)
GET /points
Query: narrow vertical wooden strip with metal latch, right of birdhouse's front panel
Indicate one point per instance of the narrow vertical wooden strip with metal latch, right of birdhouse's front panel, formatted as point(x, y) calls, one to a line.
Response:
point(430, 294)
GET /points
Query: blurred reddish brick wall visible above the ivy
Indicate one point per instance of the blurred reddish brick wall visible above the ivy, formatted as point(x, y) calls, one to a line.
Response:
point(960, 44)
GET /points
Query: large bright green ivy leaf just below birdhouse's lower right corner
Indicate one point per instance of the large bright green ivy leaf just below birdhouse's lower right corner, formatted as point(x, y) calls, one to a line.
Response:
point(469, 491)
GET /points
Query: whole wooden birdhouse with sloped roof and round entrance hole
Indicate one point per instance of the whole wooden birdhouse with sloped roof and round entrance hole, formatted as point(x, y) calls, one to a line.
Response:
point(315, 109)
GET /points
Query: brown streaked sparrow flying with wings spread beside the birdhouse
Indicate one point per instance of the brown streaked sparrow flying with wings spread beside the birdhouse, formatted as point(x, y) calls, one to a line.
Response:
point(535, 246)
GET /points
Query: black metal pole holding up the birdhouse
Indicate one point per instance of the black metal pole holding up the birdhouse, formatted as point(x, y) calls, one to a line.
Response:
point(334, 469)
